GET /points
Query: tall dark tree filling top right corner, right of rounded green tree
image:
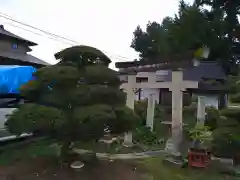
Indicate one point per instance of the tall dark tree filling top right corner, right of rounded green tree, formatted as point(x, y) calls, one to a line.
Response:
point(224, 17)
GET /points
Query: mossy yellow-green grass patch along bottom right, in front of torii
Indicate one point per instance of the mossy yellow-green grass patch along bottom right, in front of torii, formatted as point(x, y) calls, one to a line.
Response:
point(158, 171)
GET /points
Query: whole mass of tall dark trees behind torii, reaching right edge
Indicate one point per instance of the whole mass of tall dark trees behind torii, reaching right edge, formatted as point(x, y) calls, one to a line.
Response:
point(193, 27)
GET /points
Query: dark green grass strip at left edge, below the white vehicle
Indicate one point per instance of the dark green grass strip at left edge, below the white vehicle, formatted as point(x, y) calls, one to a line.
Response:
point(10, 154)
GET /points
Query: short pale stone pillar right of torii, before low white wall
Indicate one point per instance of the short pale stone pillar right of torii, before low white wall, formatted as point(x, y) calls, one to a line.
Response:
point(201, 110)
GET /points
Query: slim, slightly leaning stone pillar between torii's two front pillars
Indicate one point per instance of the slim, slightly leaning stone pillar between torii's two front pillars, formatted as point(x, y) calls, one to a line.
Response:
point(150, 111)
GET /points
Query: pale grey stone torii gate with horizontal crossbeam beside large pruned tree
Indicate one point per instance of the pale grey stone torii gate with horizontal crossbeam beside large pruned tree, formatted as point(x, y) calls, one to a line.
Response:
point(177, 85)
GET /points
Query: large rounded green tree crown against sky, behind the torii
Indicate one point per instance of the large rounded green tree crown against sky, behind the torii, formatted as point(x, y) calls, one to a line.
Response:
point(176, 35)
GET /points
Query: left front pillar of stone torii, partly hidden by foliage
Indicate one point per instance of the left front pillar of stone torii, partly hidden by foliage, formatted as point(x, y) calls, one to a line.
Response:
point(130, 103)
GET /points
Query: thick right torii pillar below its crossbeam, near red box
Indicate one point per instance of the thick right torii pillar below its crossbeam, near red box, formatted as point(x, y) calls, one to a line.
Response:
point(177, 105)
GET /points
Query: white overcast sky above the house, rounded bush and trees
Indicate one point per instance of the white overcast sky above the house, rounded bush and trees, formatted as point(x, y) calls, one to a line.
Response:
point(105, 24)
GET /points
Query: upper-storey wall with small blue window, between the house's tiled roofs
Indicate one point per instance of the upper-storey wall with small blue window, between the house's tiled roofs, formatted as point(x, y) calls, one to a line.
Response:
point(7, 46)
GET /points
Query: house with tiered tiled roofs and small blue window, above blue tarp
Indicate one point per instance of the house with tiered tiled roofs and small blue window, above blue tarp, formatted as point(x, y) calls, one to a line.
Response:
point(14, 50)
